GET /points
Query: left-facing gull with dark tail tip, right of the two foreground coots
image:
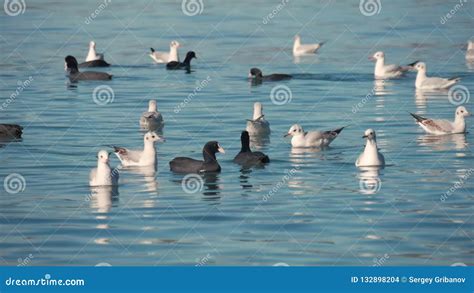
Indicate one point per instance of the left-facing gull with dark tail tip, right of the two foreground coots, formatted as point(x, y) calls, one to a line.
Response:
point(311, 138)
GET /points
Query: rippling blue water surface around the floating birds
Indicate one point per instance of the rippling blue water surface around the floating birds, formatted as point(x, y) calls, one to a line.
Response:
point(305, 207)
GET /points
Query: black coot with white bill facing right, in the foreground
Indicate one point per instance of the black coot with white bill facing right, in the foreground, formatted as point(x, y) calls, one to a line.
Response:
point(209, 164)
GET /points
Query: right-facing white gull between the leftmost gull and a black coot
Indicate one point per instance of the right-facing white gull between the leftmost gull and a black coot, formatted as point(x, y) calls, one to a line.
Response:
point(145, 157)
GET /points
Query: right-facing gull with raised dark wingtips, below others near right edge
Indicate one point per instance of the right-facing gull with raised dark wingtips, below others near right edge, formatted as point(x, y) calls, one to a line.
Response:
point(441, 126)
